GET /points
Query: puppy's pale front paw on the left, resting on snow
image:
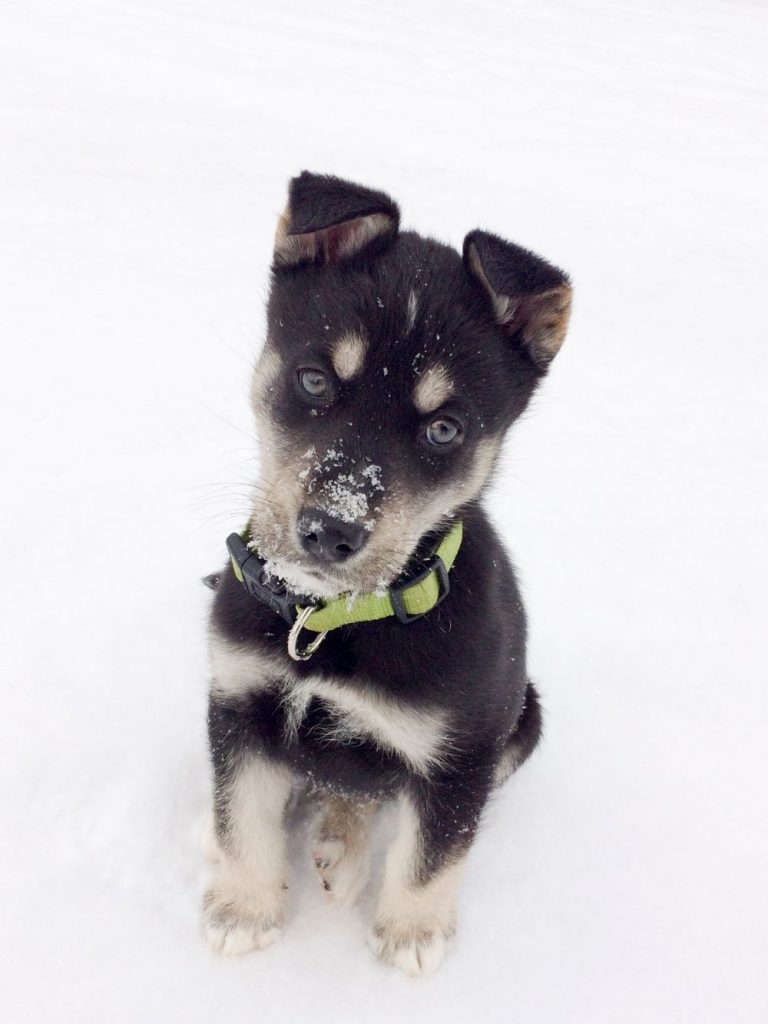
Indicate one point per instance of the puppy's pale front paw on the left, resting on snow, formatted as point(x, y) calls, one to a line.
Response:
point(237, 923)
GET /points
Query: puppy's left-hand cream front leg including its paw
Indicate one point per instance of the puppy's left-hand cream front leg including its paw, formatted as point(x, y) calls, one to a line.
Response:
point(244, 907)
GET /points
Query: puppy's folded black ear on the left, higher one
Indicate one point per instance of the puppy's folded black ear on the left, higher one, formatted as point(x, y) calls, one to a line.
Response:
point(329, 221)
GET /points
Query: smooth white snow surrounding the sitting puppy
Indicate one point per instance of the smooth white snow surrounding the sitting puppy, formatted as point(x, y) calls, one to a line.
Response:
point(146, 151)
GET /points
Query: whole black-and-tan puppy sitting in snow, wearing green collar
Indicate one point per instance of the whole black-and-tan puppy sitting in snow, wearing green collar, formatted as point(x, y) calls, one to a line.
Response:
point(369, 634)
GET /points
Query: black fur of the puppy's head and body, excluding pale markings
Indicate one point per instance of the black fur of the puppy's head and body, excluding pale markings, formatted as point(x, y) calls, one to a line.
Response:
point(466, 658)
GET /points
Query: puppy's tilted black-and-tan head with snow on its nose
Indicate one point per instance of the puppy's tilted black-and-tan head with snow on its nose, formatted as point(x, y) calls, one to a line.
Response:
point(393, 369)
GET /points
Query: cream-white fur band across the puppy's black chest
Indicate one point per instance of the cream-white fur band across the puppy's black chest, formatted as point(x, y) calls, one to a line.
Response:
point(324, 711)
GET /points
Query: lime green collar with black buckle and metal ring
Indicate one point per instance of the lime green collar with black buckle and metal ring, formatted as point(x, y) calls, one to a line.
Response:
point(407, 602)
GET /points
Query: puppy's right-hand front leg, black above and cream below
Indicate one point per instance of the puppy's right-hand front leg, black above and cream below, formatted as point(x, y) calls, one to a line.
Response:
point(416, 914)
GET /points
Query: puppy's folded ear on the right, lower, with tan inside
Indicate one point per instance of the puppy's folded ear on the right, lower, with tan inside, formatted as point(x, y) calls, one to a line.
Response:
point(531, 298)
